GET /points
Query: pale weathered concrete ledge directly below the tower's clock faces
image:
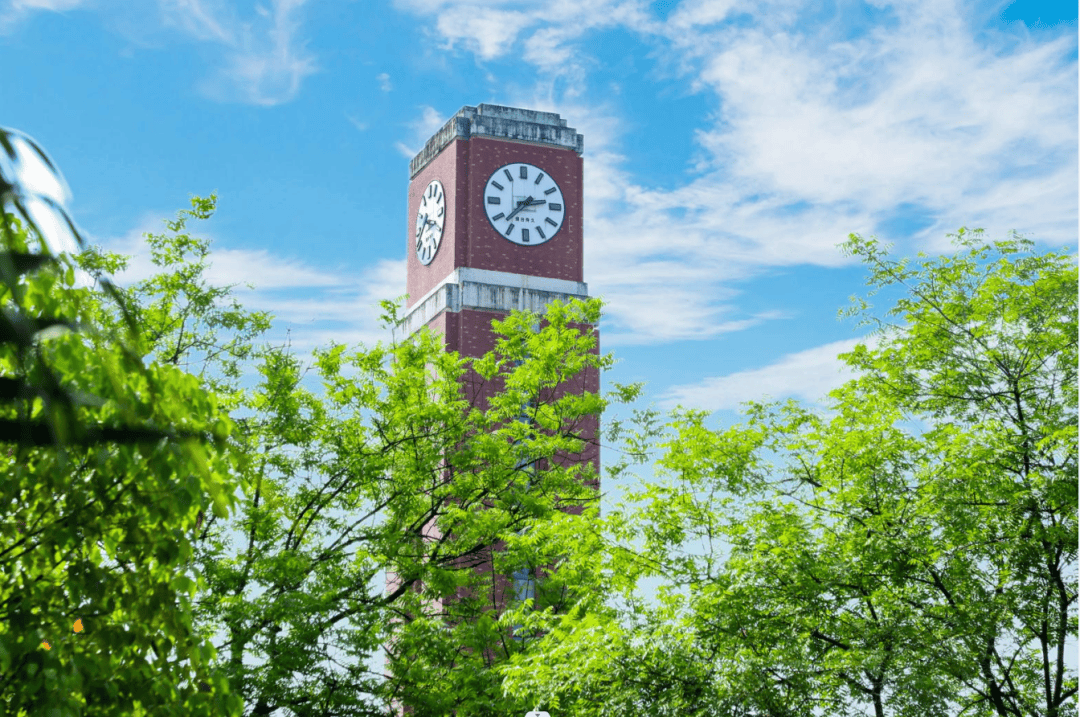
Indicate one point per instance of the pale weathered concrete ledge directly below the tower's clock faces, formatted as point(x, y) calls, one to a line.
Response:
point(488, 291)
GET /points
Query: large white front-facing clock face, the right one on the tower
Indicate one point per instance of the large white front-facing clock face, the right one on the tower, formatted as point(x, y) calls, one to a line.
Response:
point(524, 205)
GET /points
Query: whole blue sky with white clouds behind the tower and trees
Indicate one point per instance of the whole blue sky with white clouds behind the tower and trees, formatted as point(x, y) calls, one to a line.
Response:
point(730, 147)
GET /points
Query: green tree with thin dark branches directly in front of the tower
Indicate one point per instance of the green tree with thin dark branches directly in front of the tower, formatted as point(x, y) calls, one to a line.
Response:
point(389, 469)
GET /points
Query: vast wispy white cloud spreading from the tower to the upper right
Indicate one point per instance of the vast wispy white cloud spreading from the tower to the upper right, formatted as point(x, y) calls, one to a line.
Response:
point(823, 128)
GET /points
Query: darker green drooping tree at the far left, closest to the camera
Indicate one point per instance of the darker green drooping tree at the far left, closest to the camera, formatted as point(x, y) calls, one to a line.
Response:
point(106, 463)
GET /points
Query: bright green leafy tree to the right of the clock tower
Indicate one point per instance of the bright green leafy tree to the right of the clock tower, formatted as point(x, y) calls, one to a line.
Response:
point(911, 572)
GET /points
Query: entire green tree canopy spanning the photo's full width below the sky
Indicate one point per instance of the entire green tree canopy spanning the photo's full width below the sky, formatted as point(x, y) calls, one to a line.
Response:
point(220, 534)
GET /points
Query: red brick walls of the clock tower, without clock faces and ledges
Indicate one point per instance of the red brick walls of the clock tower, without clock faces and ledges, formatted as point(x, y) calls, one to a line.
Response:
point(464, 167)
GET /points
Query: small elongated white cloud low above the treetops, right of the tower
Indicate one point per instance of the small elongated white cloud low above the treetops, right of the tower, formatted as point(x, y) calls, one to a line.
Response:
point(806, 375)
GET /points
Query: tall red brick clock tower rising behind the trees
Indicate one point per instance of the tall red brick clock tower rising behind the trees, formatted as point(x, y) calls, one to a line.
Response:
point(495, 224)
